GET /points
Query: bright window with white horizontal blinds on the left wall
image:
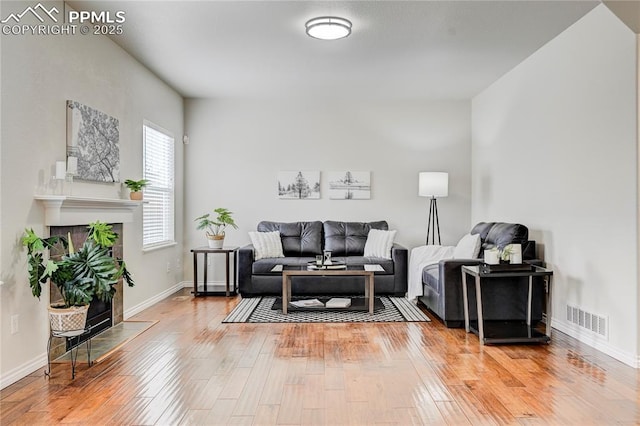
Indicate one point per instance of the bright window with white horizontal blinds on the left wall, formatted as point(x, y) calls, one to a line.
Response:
point(158, 209)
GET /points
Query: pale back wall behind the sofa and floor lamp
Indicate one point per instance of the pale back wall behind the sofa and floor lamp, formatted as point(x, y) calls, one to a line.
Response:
point(238, 146)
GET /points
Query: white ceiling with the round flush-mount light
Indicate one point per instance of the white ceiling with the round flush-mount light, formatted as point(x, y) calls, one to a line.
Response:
point(397, 50)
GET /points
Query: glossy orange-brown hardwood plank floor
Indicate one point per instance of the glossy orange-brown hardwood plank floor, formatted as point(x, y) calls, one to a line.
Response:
point(192, 369)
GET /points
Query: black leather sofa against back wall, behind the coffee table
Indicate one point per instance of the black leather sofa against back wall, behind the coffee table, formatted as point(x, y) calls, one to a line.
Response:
point(302, 241)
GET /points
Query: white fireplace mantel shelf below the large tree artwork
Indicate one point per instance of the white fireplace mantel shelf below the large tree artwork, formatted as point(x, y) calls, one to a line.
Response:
point(65, 210)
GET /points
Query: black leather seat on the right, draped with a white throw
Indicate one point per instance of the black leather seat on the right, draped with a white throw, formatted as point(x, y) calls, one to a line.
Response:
point(502, 300)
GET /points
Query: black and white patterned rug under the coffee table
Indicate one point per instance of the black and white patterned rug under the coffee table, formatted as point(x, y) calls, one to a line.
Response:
point(258, 310)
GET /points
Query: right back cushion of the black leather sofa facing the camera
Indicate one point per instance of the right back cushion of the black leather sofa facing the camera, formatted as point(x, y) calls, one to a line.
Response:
point(349, 238)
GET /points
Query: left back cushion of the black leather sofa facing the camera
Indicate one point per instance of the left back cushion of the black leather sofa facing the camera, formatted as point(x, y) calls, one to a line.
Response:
point(298, 238)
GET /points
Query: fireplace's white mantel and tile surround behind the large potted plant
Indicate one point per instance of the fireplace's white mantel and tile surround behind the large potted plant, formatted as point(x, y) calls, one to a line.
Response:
point(71, 214)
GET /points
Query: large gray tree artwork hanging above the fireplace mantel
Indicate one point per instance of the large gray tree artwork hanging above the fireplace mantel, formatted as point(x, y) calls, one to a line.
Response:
point(93, 137)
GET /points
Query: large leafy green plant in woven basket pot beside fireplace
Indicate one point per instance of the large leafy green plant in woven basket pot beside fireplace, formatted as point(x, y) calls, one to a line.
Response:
point(79, 275)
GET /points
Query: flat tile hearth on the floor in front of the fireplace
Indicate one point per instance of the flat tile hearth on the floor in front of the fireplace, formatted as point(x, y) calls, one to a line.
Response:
point(105, 343)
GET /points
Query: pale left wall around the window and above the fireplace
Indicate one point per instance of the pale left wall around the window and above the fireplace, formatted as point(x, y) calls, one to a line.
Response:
point(39, 73)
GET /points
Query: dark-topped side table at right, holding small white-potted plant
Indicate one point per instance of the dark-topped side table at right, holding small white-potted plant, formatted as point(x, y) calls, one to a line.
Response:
point(496, 332)
